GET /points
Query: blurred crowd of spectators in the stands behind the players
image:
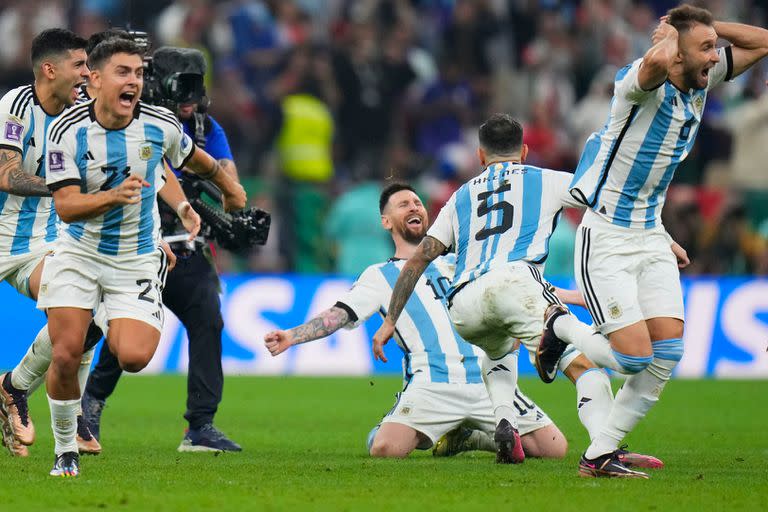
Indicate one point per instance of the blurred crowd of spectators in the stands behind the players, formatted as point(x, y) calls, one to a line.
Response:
point(325, 101)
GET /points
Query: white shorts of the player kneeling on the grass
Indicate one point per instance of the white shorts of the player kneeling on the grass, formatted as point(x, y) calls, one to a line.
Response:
point(437, 408)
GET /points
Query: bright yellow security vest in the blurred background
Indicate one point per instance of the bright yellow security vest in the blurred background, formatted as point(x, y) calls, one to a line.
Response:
point(304, 142)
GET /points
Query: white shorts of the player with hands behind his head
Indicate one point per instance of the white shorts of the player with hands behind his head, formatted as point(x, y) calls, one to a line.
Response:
point(626, 276)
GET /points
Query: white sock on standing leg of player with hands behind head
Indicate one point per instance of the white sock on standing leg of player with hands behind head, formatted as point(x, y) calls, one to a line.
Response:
point(633, 401)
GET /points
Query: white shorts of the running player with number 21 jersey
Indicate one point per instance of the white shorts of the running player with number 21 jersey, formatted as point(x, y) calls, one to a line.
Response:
point(130, 287)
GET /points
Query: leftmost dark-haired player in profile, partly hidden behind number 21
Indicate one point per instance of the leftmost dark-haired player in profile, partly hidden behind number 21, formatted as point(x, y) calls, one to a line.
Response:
point(28, 222)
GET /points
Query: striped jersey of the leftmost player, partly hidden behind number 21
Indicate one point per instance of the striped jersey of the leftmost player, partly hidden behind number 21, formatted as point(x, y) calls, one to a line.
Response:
point(26, 223)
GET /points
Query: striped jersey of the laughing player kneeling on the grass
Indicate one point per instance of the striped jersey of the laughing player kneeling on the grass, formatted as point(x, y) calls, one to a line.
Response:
point(433, 350)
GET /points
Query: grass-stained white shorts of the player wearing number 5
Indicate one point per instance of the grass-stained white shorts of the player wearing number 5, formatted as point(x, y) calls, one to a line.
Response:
point(502, 306)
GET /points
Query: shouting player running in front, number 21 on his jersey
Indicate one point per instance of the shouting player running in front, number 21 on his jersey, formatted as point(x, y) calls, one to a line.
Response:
point(103, 164)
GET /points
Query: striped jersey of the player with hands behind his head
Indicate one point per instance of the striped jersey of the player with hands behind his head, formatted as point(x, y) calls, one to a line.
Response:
point(625, 169)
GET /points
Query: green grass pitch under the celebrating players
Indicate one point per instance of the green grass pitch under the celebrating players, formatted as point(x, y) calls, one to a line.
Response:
point(304, 442)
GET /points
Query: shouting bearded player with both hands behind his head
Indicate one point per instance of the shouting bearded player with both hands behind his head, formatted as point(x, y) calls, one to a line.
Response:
point(623, 265)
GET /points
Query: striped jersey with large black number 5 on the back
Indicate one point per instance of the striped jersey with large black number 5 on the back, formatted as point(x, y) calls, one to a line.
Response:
point(505, 214)
